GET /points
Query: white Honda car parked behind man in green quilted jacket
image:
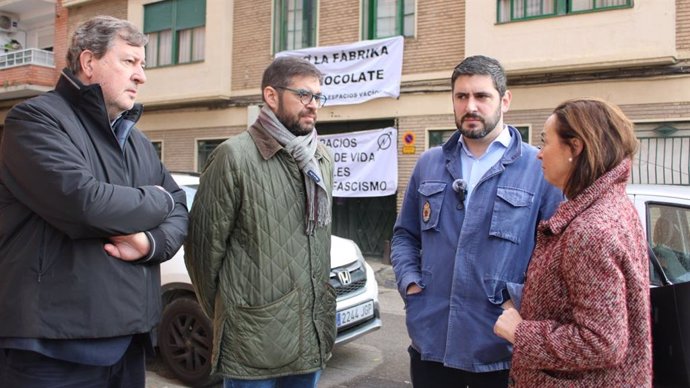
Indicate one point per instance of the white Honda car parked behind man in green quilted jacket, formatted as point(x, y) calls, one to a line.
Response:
point(185, 332)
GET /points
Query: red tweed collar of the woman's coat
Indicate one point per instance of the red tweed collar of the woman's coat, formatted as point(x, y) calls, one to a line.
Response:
point(614, 181)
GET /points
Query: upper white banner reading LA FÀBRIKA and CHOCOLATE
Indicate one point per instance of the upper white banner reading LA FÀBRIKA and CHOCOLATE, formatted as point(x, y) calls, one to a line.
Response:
point(357, 72)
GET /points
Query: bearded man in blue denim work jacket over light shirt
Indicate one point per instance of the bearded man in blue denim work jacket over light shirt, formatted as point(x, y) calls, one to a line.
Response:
point(465, 234)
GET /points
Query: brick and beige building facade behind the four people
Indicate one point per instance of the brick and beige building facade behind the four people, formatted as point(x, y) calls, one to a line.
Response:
point(205, 59)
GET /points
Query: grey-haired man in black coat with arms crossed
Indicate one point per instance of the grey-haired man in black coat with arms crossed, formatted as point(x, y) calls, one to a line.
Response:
point(87, 214)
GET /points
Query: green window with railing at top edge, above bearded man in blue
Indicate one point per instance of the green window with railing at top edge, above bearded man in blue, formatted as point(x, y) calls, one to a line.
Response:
point(512, 10)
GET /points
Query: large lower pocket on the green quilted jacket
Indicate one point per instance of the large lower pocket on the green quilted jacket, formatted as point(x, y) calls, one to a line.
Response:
point(269, 336)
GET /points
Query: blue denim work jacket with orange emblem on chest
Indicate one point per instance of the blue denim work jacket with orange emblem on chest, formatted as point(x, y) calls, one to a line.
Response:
point(466, 258)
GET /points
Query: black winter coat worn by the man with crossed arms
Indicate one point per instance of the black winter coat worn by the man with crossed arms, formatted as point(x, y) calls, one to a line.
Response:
point(65, 187)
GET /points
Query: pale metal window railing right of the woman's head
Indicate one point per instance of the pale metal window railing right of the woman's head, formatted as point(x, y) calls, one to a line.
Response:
point(662, 160)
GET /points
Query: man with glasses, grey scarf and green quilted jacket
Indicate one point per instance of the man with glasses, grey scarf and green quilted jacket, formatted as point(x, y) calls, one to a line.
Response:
point(258, 250)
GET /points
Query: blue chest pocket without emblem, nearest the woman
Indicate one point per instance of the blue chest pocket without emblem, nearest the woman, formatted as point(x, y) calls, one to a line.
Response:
point(511, 210)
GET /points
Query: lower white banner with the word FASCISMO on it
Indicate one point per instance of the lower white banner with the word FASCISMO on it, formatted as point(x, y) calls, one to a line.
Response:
point(366, 163)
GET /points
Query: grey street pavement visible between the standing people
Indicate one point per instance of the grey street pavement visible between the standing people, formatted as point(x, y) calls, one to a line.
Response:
point(376, 360)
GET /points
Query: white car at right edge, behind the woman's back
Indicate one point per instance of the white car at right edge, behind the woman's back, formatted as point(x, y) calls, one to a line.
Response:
point(665, 214)
